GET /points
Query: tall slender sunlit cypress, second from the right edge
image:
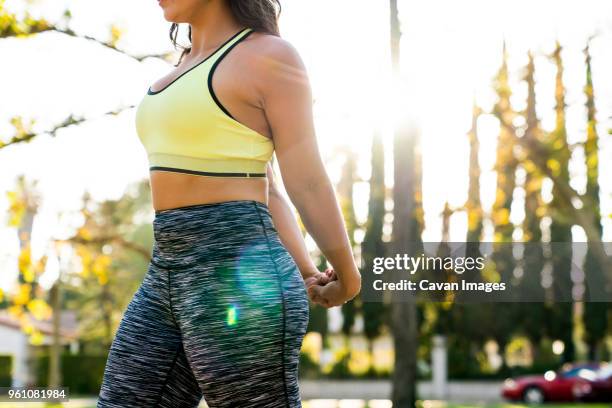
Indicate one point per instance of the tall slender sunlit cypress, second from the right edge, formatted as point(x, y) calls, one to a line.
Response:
point(561, 325)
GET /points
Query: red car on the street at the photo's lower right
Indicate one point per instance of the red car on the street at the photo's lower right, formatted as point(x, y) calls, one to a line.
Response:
point(552, 386)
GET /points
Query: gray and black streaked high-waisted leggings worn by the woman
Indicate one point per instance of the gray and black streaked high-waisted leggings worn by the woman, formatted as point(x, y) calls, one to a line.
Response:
point(220, 314)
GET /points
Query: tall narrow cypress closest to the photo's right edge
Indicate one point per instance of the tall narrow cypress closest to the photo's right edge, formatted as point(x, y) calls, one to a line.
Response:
point(595, 312)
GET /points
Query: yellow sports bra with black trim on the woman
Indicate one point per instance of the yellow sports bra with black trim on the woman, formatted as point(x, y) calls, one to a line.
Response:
point(185, 128)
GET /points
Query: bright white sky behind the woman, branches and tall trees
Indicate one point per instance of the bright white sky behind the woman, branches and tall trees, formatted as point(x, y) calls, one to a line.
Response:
point(450, 51)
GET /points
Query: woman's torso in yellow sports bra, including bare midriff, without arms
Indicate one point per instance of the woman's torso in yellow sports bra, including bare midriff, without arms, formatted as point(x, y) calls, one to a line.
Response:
point(248, 133)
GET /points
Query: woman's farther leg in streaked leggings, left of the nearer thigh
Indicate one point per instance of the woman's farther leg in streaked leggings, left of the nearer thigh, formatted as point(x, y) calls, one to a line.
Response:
point(146, 365)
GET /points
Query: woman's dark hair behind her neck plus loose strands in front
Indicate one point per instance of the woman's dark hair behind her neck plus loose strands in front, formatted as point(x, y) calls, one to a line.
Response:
point(259, 15)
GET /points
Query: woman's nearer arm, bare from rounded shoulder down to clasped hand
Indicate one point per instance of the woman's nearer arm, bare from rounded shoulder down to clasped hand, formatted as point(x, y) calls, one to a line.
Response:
point(286, 98)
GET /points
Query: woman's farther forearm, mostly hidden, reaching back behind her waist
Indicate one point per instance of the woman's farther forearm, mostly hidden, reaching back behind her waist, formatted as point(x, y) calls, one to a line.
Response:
point(288, 229)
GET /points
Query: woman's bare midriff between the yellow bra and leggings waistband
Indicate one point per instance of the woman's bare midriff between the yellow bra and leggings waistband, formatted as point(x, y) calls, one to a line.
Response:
point(173, 190)
